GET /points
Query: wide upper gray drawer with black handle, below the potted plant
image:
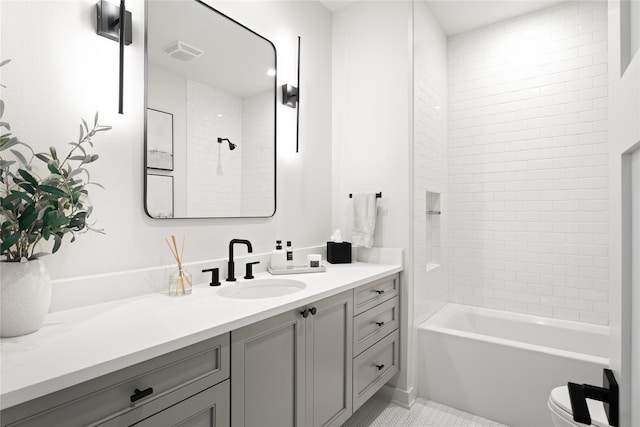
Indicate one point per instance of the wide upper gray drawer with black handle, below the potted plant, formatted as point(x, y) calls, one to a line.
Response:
point(205, 363)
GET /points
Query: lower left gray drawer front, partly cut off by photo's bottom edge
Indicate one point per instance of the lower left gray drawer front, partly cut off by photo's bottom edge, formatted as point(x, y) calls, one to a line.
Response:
point(209, 408)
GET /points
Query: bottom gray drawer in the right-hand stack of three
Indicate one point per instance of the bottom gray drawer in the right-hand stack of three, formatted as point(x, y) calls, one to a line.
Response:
point(374, 367)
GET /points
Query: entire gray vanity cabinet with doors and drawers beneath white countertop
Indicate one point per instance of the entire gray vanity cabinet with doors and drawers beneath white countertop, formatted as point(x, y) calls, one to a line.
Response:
point(308, 367)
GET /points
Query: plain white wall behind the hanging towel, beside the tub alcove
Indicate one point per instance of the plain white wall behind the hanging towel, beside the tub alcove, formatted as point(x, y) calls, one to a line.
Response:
point(372, 132)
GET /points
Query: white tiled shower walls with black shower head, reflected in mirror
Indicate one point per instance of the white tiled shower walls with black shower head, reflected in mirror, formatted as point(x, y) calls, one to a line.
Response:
point(222, 182)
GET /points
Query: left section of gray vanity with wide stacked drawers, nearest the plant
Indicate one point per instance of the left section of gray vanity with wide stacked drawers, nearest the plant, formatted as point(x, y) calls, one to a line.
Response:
point(167, 390)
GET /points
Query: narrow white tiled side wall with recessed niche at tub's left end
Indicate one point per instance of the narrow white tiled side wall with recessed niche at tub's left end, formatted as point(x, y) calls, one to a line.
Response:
point(429, 161)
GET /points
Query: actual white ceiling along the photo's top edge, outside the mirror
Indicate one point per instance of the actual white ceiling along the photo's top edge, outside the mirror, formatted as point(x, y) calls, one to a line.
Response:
point(459, 16)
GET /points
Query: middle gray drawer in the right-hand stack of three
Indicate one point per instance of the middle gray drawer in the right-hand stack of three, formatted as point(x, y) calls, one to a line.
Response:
point(373, 324)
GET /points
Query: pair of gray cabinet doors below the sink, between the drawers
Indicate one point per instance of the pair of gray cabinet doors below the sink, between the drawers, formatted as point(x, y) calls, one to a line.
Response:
point(295, 369)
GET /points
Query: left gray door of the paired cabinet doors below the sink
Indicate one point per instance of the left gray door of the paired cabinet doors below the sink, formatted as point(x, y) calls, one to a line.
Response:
point(268, 372)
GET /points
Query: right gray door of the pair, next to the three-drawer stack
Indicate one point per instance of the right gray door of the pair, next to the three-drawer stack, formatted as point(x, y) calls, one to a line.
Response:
point(329, 349)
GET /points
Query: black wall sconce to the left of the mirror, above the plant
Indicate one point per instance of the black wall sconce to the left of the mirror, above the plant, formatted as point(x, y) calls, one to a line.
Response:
point(114, 23)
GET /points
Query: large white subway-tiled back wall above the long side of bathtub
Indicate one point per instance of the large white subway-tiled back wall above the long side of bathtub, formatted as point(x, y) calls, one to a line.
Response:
point(528, 175)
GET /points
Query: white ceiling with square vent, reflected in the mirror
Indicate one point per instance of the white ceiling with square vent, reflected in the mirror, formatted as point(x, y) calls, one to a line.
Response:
point(235, 59)
